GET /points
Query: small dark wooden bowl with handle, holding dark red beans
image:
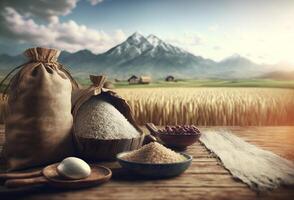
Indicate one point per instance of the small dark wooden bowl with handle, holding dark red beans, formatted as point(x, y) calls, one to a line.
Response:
point(176, 142)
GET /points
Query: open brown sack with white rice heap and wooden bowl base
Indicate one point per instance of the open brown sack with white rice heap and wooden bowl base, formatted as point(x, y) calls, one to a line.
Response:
point(103, 123)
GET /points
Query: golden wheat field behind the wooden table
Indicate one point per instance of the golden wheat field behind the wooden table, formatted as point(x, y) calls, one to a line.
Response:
point(211, 106)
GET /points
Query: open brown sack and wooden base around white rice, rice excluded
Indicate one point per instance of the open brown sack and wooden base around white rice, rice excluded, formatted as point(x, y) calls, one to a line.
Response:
point(95, 149)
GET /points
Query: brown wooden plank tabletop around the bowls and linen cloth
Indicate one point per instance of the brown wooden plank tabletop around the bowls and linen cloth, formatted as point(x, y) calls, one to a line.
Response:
point(205, 179)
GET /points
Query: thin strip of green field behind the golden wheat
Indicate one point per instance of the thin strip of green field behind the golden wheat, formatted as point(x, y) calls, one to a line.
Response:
point(211, 83)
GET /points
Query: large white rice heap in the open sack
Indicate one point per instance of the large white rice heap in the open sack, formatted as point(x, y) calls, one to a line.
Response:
point(98, 119)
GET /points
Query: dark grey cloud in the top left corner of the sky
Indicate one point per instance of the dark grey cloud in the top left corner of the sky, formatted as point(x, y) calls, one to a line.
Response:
point(41, 9)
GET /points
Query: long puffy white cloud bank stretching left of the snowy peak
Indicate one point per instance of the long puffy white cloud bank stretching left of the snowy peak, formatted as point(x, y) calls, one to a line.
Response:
point(68, 35)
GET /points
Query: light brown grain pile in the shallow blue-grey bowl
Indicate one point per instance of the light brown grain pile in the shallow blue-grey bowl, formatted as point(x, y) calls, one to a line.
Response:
point(154, 153)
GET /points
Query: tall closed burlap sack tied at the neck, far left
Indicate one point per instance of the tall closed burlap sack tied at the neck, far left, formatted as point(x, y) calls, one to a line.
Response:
point(39, 120)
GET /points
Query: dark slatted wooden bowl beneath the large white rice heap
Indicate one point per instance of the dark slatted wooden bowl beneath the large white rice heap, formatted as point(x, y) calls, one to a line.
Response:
point(96, 149)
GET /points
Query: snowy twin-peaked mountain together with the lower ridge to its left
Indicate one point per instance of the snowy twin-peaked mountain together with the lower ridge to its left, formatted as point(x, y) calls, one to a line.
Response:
point(142, 56)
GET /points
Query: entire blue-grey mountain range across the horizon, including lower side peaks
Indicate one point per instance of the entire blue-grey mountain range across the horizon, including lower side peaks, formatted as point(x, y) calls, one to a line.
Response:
point(149, 56)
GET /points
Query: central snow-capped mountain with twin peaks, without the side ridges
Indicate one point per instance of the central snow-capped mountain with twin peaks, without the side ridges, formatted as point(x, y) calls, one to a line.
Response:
point(146, 55)
